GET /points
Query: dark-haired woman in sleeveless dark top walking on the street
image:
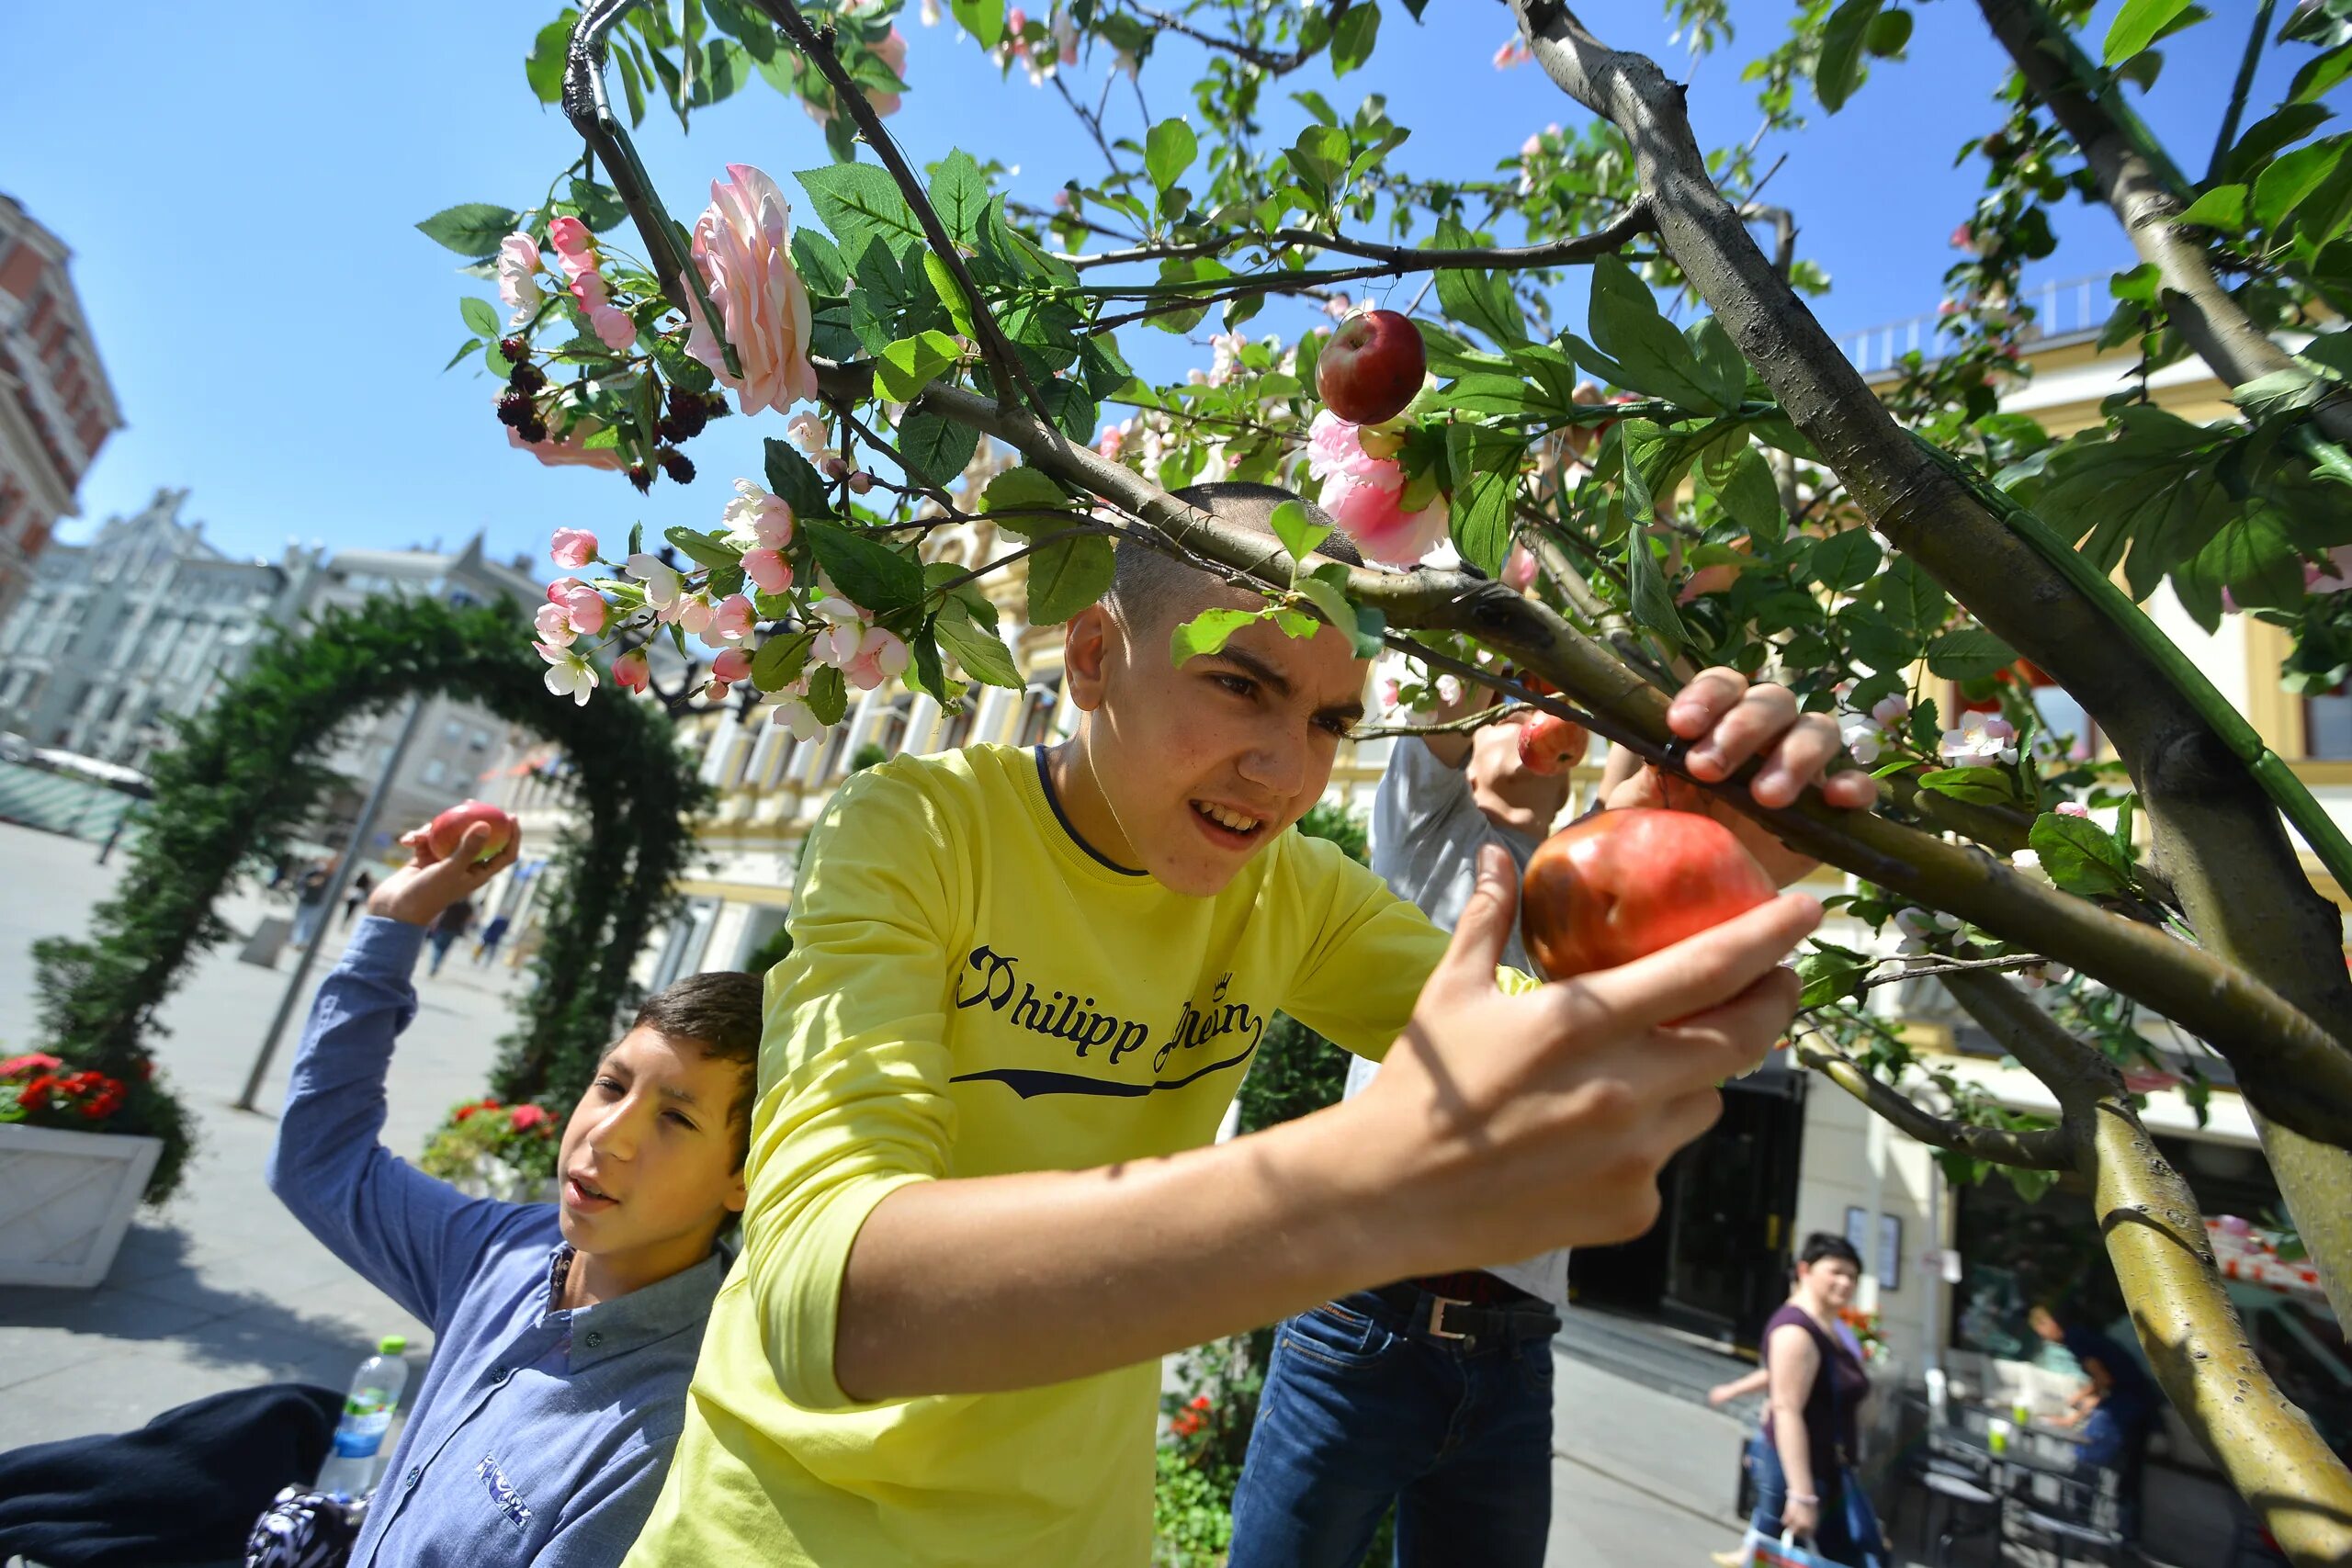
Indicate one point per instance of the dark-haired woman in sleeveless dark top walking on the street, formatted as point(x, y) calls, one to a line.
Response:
point(1805, 1463)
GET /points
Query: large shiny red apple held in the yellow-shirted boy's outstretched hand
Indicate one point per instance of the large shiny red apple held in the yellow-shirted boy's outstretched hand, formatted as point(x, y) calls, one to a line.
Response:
point(1624, 885)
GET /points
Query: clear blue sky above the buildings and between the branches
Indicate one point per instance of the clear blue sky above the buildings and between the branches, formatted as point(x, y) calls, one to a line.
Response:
point(241, 189)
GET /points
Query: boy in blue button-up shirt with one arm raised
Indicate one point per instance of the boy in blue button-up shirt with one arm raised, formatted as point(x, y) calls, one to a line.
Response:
point(566, 1334)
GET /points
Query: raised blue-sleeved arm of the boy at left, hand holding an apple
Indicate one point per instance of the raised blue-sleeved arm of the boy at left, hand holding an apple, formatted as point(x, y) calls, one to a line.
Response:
point(375, 1212)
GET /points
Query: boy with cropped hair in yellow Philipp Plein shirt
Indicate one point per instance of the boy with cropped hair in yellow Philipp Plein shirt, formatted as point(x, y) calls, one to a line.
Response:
point(984, 1184)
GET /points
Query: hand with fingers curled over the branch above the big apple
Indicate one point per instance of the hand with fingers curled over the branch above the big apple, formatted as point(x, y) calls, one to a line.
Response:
point(1728, 721)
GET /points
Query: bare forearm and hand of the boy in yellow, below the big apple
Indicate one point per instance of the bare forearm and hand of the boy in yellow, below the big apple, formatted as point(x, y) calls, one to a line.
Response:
point(1502, 1127)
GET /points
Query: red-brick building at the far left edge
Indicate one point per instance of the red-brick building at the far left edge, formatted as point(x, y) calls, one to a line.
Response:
point(55, 401)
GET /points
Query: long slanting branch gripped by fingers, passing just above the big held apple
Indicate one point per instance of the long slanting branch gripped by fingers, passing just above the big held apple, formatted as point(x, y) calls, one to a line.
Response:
point(2292, 1066)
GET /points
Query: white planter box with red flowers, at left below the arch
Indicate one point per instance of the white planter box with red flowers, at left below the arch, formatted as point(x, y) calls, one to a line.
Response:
point(67, 1200)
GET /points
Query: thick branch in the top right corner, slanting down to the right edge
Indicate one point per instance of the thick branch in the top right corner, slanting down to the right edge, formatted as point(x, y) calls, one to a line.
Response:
point(2149, 206)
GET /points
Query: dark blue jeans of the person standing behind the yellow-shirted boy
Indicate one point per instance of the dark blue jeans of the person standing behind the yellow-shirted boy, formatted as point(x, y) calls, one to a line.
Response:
point(1363, 1407)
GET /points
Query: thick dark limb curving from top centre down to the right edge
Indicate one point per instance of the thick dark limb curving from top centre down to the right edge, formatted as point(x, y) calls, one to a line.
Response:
point(2238, 876)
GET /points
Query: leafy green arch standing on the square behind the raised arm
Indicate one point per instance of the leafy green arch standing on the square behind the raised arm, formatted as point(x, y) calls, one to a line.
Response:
point(243, 779)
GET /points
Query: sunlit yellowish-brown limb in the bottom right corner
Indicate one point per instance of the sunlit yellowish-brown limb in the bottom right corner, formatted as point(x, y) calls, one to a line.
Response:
point(2179, 1304)
